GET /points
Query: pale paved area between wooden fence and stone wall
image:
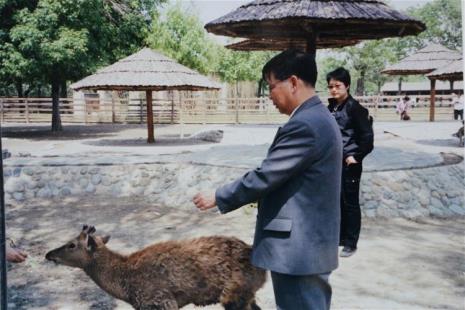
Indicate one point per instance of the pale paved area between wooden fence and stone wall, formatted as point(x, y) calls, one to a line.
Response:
point(397, 145)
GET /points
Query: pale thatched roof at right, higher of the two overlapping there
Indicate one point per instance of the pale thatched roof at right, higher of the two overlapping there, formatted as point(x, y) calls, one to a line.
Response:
point(424, 61)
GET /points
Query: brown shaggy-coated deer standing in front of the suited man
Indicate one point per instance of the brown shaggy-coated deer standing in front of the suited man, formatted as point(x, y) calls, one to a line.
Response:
point(168, 275)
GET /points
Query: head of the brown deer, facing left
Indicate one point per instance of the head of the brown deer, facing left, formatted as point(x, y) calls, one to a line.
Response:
point(78, 252)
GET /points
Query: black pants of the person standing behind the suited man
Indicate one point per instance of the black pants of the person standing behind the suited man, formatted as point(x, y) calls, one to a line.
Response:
point(350, 205)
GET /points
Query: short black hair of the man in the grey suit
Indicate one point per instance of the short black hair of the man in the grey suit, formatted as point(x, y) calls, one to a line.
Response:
point(292, 62)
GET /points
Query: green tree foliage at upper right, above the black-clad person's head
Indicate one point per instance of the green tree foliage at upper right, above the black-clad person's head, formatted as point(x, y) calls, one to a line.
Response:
point(366, 60)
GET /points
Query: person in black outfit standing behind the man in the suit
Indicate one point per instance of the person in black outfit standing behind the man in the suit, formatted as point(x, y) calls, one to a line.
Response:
point(357, 138)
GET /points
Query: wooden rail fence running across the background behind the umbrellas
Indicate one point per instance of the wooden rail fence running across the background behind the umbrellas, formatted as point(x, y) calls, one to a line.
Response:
point(197, 110)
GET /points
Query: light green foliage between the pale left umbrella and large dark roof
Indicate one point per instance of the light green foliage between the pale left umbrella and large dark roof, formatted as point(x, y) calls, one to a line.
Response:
point(180, 35)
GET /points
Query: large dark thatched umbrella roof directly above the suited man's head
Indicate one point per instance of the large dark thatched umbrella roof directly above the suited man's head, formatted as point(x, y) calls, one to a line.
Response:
point(341, 21)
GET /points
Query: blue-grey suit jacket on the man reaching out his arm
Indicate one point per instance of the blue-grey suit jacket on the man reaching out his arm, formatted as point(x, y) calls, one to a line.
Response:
point(298, 190)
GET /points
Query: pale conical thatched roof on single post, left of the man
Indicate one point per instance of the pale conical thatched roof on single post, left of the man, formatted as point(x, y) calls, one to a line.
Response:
point(146, 70)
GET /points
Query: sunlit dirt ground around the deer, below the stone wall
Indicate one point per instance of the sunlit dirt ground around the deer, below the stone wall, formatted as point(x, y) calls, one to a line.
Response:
point(400, 264)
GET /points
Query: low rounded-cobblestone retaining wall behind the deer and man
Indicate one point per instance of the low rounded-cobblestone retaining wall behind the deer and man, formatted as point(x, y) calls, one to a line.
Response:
point(437, 191)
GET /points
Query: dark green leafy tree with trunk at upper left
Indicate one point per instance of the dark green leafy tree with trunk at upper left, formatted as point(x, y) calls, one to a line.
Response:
point(66, 39)
